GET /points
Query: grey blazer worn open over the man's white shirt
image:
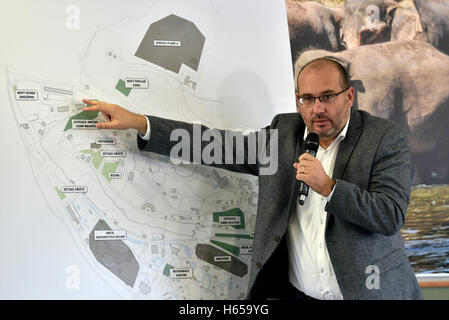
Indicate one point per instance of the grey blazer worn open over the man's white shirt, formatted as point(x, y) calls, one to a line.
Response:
point(365, 214)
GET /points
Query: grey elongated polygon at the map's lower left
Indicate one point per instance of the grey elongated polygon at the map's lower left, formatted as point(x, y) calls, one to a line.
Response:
point(114, 255)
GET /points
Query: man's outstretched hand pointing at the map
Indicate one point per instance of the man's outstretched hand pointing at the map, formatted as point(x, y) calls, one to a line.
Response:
point(117, 117)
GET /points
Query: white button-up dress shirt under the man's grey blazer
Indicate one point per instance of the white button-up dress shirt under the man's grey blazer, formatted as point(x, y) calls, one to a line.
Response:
point(310, 268)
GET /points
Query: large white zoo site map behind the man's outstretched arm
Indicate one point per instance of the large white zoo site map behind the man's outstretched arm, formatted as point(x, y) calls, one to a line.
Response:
point(84, 213)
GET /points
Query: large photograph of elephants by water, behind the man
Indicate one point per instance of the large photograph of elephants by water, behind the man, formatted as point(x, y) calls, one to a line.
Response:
point(399, 66)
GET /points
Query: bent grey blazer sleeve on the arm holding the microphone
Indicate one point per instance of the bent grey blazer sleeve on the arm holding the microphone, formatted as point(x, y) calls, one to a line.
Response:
point(382, 207)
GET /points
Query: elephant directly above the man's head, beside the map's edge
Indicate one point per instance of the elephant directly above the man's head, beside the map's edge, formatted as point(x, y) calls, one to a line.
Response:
point(313, 26)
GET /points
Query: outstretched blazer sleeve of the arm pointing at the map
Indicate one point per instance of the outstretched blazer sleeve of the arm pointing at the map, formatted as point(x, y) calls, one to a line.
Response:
point(195, 143)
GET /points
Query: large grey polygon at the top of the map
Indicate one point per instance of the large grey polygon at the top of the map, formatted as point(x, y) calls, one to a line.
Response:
point(177, 29)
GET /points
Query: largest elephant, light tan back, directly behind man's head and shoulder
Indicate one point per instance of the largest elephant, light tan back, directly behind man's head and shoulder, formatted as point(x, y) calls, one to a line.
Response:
point(402, 81)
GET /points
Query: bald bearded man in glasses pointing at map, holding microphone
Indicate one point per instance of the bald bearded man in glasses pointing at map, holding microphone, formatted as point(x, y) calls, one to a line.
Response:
point(345, 241)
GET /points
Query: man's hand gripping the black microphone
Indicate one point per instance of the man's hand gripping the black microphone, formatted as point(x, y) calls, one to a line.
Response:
point(309, 169)
